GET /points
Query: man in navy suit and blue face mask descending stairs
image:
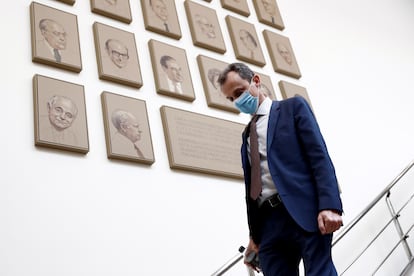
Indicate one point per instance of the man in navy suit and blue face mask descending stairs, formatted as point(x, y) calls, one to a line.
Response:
point(296, 207)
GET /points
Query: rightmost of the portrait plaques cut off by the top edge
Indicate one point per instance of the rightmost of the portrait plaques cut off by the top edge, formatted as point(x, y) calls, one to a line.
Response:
point(268, 13)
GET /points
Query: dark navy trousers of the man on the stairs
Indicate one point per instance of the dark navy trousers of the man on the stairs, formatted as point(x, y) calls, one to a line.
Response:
point(283, 244)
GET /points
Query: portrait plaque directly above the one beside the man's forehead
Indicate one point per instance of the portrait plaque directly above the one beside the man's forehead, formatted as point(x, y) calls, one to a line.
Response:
point(204, 27)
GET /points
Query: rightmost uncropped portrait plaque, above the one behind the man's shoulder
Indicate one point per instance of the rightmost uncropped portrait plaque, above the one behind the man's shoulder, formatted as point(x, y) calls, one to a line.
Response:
point(281, 54)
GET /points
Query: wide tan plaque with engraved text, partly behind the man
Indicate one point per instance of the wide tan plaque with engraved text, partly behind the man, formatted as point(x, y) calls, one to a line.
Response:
point(197, 142)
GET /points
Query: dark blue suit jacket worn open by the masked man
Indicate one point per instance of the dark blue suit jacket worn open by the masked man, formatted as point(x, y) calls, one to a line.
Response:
point(299, 164)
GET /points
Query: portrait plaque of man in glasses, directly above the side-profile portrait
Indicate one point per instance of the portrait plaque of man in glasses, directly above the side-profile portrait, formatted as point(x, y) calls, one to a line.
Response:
point(116, 55)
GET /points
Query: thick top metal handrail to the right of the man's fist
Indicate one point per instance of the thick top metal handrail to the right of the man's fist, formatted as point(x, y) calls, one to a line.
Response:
point(351, 225)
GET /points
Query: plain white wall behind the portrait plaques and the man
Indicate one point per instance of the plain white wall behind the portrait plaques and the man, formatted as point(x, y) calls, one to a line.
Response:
point(118, 218)
